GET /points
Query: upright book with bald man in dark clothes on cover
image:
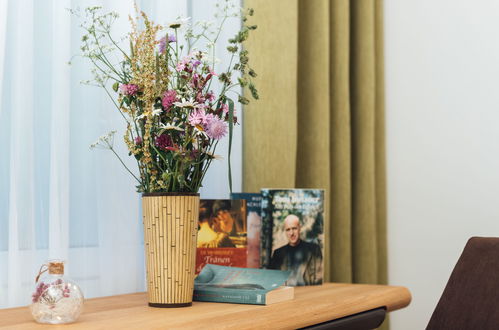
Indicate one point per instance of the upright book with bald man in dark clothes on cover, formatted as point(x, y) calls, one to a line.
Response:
point(293, 233)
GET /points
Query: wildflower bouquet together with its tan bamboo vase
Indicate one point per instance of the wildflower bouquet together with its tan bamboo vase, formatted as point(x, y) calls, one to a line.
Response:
point(176, 109)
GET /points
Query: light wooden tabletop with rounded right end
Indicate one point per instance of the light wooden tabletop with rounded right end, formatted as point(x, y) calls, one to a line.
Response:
point(312, 305)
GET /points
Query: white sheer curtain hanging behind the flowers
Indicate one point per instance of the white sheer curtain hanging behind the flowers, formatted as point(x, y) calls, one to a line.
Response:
point(58, 199)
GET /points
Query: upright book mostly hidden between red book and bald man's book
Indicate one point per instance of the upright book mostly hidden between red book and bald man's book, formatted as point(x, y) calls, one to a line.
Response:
point(254, 225)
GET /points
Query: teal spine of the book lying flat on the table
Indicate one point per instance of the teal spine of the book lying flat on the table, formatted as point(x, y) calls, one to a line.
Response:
point(230, 296)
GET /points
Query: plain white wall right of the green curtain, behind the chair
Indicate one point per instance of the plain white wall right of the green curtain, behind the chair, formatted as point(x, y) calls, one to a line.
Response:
point(442, 104)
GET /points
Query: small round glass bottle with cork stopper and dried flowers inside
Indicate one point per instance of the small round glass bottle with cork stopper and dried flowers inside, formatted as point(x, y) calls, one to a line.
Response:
point(56, 299)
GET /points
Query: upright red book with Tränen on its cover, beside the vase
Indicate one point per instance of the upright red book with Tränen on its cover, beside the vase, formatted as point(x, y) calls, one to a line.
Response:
point(222, 233)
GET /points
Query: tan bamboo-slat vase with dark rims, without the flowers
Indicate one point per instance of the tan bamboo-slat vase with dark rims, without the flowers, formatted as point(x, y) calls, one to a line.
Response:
point(170, 233)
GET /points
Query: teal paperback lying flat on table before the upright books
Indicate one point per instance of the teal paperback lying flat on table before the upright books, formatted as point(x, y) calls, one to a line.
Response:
point(241, 285)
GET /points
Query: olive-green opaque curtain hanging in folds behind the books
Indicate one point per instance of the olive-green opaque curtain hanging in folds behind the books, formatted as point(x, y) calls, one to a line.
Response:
point(319, 122)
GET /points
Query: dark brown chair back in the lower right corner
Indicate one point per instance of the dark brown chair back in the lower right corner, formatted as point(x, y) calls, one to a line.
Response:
point(471, 298)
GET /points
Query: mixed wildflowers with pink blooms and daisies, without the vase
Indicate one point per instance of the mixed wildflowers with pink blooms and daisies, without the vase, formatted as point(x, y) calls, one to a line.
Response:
point(165, 90)
